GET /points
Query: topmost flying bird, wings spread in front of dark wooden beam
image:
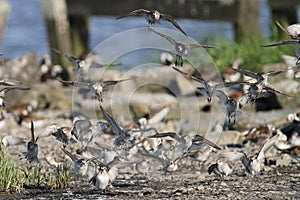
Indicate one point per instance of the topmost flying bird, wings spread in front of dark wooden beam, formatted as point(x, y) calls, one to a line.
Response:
point(154, 17)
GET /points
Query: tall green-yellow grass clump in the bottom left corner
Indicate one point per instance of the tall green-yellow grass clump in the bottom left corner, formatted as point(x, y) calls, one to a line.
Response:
point(14, 177)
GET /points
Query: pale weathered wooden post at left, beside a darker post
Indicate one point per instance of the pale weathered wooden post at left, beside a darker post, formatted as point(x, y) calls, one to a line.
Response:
point(55, 12)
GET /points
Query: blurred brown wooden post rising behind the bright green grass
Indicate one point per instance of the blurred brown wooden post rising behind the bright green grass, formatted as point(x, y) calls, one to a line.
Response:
point(248, 19)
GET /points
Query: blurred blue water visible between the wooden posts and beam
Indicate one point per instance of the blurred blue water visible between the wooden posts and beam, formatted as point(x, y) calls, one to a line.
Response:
point(26, 31)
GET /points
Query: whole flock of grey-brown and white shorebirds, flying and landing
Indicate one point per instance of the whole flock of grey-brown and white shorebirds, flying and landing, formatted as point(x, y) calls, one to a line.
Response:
point(105, 147)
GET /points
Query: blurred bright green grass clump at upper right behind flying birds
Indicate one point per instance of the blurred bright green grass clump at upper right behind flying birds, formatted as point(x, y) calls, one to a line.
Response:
point(250, 49)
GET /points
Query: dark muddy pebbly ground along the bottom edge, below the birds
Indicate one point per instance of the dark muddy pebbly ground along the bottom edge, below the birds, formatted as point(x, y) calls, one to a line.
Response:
point(187, 183)
